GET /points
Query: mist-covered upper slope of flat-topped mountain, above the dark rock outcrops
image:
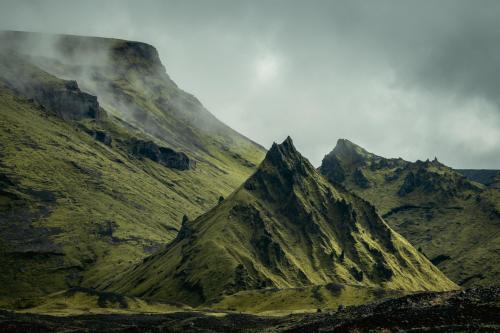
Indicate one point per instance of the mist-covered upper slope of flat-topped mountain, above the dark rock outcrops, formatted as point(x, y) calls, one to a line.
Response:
point(131, 83)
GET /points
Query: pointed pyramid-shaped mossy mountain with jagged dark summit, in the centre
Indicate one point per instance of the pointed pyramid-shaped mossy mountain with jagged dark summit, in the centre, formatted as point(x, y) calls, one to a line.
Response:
point(285, 227)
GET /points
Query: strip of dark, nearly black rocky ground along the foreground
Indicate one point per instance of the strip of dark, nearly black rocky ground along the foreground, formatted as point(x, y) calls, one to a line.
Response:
point(471, 310)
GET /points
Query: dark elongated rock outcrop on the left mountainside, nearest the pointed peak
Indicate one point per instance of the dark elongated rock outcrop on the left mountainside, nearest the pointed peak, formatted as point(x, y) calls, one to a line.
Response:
point(165, 156)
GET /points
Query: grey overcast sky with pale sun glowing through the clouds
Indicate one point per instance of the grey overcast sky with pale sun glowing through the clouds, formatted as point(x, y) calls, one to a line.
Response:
point(412, 79)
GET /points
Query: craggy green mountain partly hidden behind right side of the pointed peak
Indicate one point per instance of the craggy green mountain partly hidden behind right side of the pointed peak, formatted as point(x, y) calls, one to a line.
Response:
point(453, 220)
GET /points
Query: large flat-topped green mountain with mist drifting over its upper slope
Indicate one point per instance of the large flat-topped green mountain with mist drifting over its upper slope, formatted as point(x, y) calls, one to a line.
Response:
point(101, 156)
